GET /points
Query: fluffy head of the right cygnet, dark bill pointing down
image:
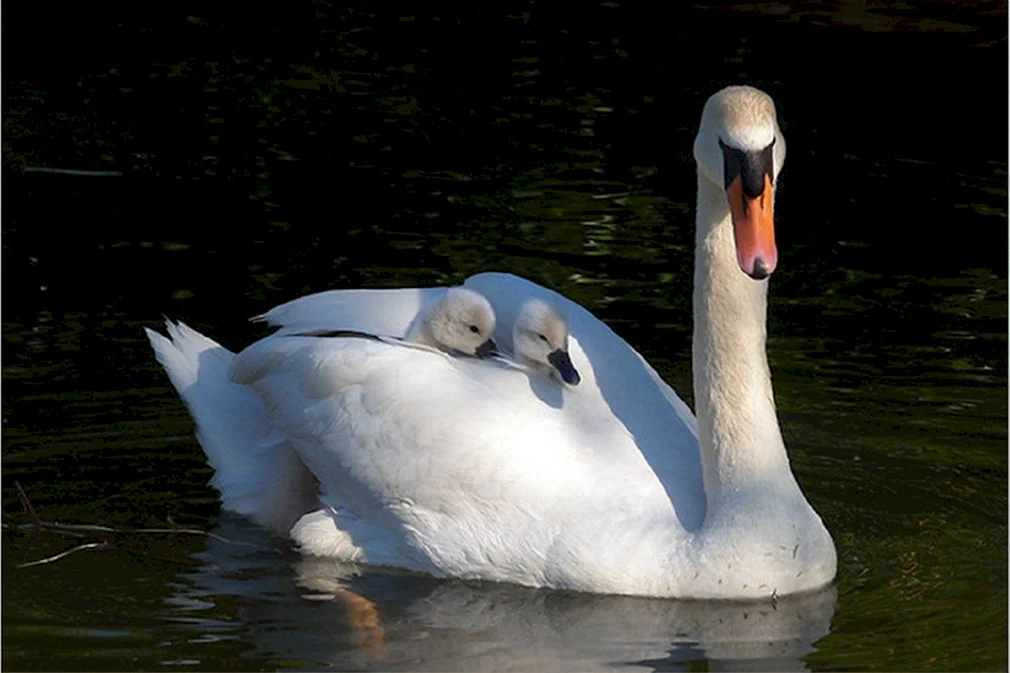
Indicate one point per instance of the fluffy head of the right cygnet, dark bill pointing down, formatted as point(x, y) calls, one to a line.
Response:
point(541, 338)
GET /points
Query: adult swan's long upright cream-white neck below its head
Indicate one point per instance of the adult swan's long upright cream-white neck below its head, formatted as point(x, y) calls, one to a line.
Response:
point(742, 446)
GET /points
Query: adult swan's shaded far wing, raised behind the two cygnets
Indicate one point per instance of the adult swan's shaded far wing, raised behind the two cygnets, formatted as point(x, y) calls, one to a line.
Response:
point(630, 392)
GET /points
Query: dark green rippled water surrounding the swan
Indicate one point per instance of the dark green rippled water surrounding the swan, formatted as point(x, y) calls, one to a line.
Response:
point(265, 156)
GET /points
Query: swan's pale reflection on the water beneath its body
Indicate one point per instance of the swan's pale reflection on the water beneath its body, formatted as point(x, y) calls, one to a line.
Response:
point(322, 612)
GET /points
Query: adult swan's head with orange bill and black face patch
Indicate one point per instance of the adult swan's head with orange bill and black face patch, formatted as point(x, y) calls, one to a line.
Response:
point(740, 149)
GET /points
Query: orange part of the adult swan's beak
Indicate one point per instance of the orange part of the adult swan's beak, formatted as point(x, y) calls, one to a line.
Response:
point(754, 229)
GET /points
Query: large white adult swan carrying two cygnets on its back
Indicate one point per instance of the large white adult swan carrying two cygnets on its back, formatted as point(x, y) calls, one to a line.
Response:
point(460, 468)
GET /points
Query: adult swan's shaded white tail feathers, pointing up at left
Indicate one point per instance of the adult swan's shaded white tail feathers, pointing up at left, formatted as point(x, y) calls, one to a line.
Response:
point(255, 469)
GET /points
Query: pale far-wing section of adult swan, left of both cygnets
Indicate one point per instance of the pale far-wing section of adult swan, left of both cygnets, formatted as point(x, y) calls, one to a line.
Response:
point(387, 313)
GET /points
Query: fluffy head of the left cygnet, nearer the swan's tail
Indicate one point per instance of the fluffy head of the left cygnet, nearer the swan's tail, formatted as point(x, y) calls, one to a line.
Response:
point(463, 321)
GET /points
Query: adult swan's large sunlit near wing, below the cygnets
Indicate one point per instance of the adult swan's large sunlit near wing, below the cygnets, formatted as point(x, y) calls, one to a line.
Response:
point(456, 466)
